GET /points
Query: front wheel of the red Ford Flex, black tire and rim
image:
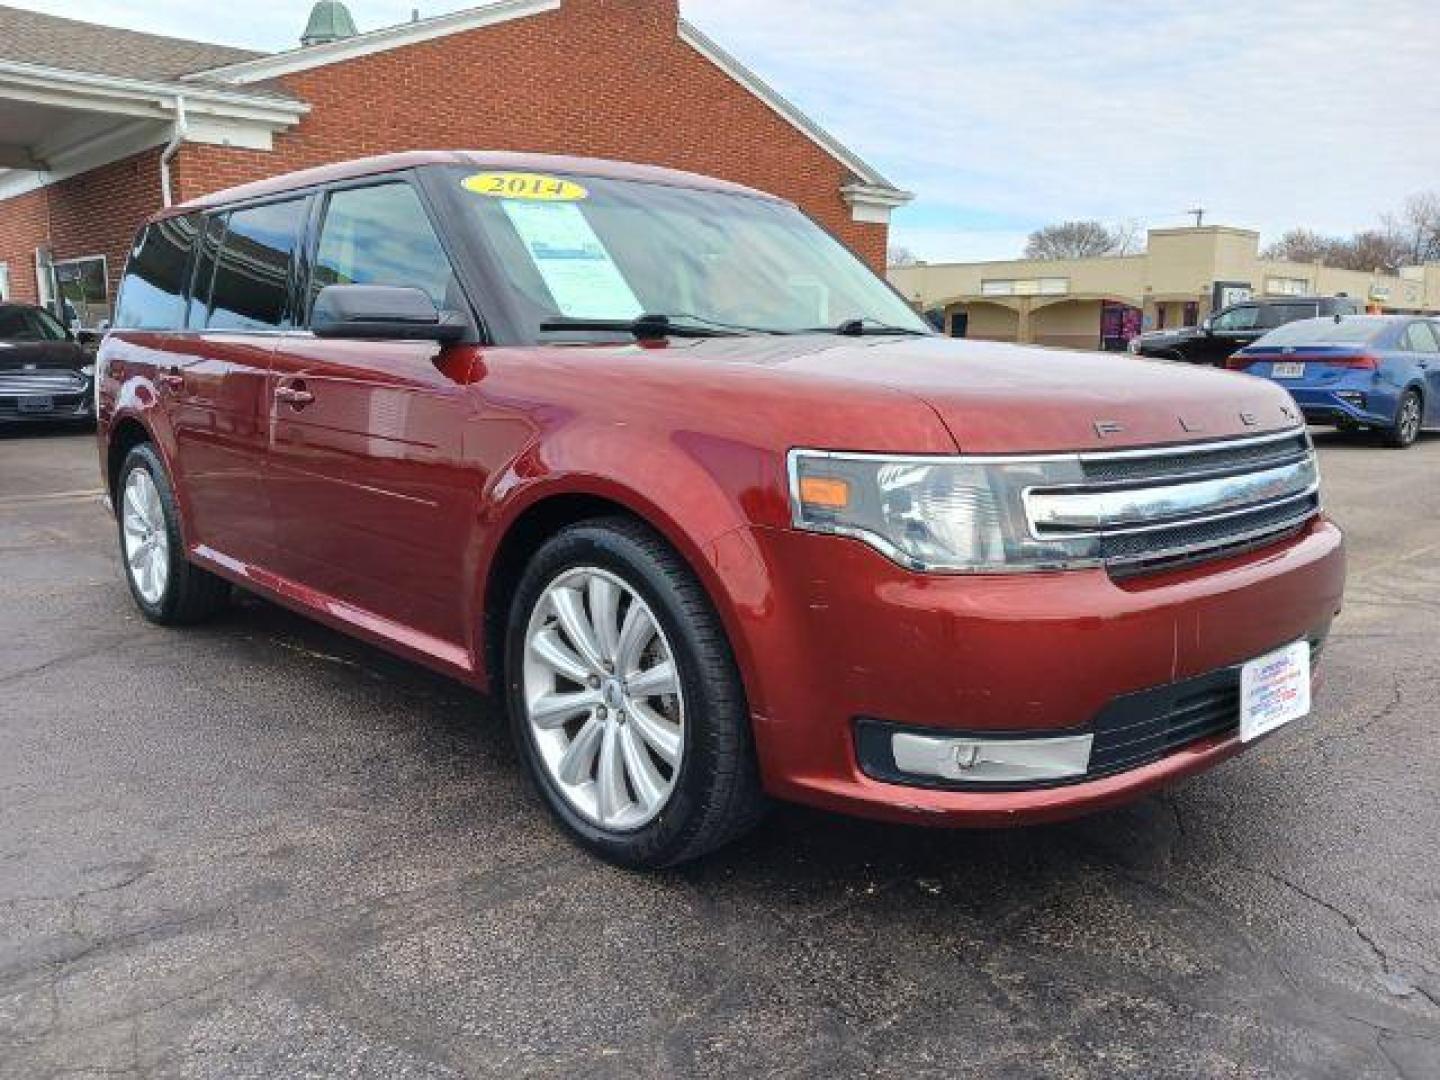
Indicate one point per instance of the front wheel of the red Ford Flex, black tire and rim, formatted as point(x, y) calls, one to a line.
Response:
point(626, 702)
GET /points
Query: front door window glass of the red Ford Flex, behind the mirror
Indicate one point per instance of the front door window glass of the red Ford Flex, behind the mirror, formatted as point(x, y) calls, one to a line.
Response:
point(382, 237)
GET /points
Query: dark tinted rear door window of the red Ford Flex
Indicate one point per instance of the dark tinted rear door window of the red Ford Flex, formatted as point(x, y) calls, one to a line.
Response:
point(253, 273)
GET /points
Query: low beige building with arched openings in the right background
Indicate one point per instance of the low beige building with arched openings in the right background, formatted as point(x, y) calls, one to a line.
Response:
point(1101, 303)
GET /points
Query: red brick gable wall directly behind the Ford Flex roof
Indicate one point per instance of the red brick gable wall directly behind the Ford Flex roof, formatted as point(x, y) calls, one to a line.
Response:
point(604, 78)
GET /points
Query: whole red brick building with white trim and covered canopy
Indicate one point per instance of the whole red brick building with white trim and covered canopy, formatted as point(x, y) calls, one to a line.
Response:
point(100, 126)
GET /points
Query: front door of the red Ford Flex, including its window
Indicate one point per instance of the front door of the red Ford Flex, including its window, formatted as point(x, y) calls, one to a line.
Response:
point(372, 498)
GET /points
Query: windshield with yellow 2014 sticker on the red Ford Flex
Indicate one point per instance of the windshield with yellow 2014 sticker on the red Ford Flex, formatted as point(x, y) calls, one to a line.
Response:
point(587, 248)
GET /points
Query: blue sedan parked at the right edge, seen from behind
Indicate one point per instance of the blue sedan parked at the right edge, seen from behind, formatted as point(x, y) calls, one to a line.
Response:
point(1379, 372)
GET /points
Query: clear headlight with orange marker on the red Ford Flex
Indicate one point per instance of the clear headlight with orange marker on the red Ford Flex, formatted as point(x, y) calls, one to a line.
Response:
point(937, 515)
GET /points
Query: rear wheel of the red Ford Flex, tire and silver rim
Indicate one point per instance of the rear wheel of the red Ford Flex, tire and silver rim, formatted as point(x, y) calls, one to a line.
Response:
point(168, 588)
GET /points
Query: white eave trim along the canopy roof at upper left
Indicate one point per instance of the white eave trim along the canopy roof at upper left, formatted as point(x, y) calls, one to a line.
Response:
point(140, 99)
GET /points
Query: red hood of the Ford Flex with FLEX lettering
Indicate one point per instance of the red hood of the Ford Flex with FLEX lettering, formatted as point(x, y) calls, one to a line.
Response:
point(1007, 400)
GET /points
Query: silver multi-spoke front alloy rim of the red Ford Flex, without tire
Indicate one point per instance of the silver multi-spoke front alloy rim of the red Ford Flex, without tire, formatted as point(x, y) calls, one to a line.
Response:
point(603, 699)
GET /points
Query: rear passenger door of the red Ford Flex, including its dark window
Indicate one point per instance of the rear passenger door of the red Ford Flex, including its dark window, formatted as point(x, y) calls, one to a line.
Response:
point(215, 377)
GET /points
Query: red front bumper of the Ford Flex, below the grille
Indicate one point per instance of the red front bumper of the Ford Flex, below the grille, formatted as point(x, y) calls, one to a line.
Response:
point(1013, 656)
